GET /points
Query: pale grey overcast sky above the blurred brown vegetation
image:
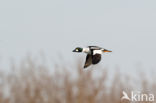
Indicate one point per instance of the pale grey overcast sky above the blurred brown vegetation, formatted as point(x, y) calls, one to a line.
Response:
point(127, 27)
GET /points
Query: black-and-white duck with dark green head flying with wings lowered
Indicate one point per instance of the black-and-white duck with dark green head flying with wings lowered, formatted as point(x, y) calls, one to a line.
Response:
point(93, 54)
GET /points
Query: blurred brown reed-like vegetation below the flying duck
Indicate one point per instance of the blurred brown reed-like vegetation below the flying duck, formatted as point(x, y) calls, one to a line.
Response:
point(32, 82)
